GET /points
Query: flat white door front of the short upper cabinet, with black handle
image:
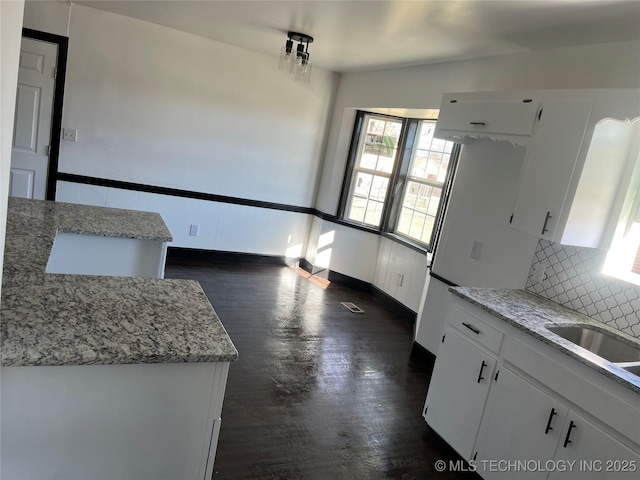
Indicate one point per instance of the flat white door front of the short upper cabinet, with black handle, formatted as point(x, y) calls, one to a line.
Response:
point(509, 118)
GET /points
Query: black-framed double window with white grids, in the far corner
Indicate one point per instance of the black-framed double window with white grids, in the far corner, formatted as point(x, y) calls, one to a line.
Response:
point(397, 176)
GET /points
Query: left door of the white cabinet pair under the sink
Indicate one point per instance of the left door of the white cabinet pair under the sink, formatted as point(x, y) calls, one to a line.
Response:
point(521, 423)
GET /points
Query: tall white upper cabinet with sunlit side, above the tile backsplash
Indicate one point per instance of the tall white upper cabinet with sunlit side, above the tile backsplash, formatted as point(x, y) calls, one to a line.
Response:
point(578, 167)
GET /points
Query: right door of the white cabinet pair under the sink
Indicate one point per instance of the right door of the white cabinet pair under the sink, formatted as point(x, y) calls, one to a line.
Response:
point(593, 454)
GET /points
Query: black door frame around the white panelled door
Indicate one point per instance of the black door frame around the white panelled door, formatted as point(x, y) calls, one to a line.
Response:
point(58, 97)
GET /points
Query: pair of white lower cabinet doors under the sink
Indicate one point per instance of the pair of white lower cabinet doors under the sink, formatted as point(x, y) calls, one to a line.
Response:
point(530, 434)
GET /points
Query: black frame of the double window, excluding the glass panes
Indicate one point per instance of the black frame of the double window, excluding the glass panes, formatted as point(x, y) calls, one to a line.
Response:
point(398, 181)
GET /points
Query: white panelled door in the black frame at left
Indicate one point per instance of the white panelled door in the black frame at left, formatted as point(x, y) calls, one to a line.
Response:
point(32, 130)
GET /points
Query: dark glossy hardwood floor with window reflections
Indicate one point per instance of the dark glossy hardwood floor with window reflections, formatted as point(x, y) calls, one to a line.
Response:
point(318, 392)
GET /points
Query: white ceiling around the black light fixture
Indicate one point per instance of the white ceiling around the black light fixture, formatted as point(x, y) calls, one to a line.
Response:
point(355, 35)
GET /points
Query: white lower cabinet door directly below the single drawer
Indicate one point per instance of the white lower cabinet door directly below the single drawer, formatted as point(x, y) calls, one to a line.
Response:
point(458, 392)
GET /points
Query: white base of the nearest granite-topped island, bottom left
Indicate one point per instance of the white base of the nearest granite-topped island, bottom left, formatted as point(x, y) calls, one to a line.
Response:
point(106, 422)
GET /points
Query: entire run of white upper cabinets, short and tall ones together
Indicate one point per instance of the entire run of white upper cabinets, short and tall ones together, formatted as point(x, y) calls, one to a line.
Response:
point(581, 148)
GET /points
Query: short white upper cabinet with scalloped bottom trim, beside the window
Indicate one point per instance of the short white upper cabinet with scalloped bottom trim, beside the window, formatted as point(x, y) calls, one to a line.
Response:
point(467, 117)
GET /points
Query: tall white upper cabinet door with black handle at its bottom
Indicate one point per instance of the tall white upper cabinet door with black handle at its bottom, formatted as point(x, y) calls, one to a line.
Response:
point(549, 168)
